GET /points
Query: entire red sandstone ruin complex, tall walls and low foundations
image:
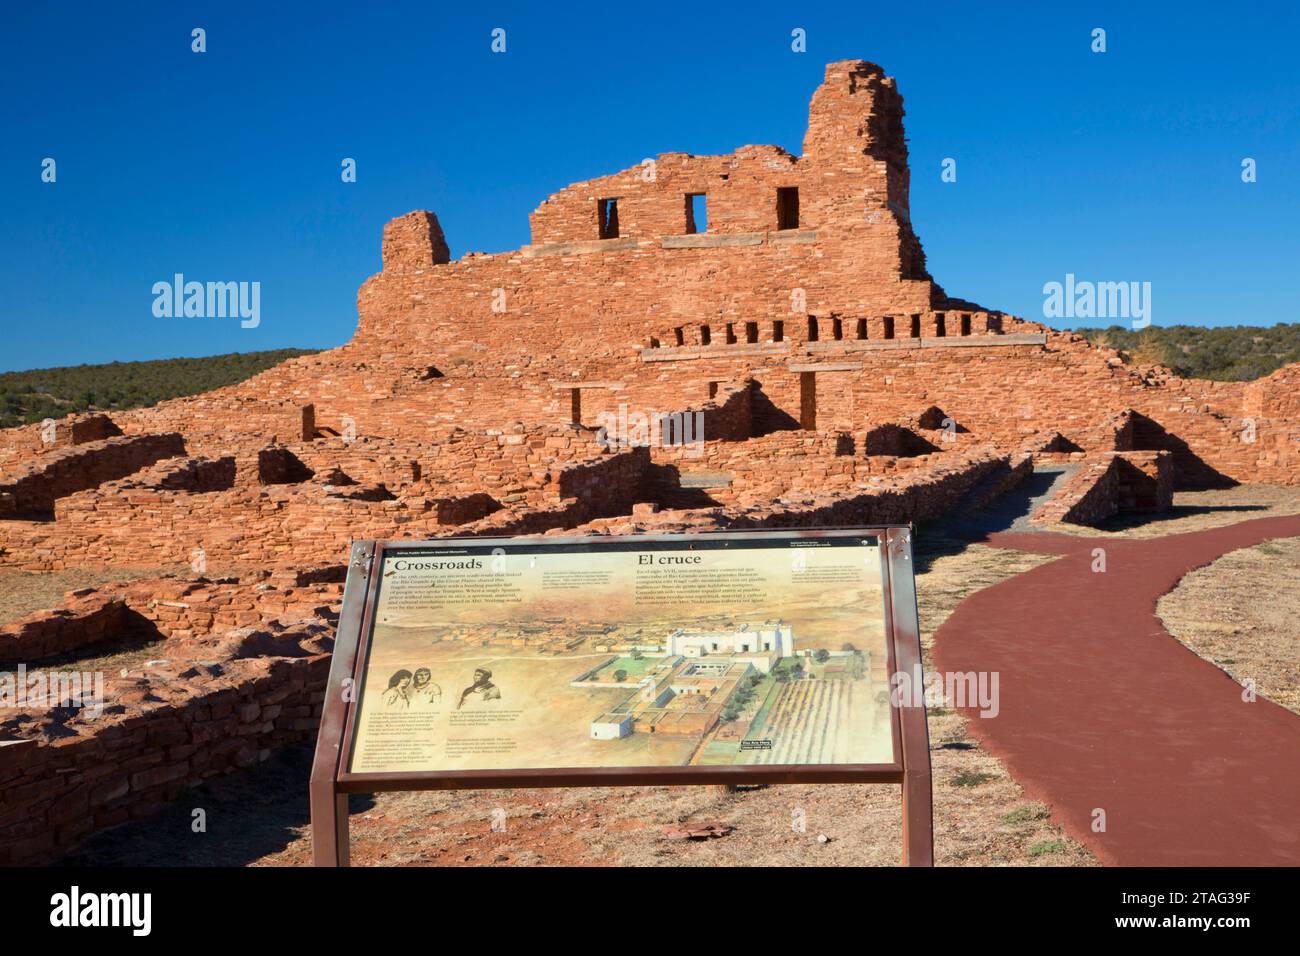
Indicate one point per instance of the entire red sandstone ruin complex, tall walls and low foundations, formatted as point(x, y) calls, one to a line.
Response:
point(837, 382)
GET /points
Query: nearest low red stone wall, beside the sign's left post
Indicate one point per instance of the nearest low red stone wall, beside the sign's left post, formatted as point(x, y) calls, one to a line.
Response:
point(163, 730)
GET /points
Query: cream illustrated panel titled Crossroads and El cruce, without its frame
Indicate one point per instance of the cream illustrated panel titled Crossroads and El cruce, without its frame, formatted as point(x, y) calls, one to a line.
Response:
point(627, 655)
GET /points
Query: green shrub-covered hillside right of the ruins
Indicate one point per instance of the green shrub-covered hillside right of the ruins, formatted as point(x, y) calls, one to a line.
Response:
point(1230, 353)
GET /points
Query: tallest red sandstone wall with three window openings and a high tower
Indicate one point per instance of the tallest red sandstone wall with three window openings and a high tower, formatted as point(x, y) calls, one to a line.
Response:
point(855, 252)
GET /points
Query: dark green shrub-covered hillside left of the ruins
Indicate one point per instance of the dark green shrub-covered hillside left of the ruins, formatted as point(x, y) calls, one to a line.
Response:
point(51, 393)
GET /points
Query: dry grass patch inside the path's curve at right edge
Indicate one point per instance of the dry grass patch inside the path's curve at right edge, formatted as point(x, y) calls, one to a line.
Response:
point(1240, 613)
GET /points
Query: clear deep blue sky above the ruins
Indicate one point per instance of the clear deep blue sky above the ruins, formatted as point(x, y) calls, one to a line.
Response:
point(226, 166)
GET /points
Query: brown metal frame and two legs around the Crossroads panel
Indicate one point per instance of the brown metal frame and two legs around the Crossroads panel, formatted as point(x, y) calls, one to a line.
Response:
point(332, 782)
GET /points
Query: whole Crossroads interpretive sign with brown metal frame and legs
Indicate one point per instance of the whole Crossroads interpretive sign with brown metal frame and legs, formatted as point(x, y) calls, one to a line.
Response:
point(622, 660)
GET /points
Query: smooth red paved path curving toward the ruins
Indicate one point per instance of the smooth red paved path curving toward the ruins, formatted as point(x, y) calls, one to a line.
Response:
point(1102, 708)
